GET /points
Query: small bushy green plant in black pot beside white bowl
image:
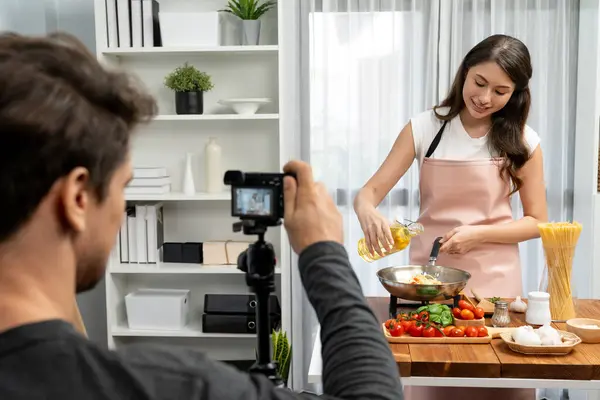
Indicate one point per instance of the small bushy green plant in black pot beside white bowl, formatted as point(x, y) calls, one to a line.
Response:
point(189, 85)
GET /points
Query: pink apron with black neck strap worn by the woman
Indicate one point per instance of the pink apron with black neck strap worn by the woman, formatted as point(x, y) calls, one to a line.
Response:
point(471, 192)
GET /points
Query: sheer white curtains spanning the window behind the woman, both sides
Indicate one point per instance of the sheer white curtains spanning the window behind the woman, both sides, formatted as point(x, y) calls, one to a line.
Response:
point(374, 64)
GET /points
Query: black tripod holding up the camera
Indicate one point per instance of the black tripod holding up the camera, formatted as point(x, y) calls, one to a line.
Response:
point(258, 262)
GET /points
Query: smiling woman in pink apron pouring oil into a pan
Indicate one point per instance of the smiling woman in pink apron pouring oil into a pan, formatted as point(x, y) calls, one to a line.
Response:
point(474, 151)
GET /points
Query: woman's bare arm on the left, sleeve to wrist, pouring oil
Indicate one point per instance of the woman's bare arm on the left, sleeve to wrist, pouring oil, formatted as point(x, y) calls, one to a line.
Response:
point(389, 173)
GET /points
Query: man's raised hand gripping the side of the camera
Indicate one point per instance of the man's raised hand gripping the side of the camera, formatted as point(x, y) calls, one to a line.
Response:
point(310, 214)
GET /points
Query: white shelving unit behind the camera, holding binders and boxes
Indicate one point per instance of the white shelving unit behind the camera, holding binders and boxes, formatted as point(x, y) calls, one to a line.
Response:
point(249, 143)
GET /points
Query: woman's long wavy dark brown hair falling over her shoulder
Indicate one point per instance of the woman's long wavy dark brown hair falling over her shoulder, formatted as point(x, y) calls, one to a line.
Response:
point(508, 124)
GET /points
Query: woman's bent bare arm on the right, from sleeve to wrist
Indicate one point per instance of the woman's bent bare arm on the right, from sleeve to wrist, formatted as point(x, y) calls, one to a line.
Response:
point(535, 210)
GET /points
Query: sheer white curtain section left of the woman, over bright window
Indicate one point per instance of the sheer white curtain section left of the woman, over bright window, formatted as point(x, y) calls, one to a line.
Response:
point(373, 64)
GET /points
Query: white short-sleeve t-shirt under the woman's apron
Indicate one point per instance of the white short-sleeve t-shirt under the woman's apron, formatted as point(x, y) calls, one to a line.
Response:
point(456, 144)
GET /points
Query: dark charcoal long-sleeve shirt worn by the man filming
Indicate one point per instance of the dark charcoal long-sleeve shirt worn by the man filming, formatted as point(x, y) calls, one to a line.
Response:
point(50, 360)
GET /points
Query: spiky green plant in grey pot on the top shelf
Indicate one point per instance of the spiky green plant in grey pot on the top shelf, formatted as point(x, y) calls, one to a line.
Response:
point(249, 11)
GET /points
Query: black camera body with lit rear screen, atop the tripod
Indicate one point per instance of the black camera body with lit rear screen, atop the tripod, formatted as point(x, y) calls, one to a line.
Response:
point(256, 196)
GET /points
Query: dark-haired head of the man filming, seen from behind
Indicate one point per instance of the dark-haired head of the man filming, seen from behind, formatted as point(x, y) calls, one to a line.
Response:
point(65, 126)
